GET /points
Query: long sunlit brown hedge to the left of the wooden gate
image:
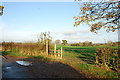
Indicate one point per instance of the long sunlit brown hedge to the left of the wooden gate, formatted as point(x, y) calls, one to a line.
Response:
point(32, 49)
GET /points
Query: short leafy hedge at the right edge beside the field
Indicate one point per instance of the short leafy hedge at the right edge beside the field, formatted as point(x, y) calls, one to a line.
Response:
point(108, 57)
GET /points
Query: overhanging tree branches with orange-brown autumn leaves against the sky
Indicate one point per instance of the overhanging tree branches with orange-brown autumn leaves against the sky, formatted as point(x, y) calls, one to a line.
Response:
point(100, 15)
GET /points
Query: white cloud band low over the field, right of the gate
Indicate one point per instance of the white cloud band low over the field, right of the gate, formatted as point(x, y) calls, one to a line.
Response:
point(85, 35)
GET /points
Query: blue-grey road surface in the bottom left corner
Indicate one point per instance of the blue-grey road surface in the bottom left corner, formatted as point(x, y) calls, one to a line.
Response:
point(10, 69)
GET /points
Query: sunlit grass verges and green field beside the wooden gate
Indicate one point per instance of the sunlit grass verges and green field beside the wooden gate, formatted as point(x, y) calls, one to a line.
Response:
point(81, 58)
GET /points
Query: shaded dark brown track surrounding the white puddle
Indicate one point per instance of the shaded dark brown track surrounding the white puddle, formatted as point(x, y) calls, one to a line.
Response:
point(39, 69)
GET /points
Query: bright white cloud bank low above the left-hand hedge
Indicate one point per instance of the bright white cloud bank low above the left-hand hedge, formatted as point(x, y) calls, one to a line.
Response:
point(25, 33)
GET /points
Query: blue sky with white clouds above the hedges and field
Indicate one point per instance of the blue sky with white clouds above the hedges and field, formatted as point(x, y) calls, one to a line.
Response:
point(24, 21)
